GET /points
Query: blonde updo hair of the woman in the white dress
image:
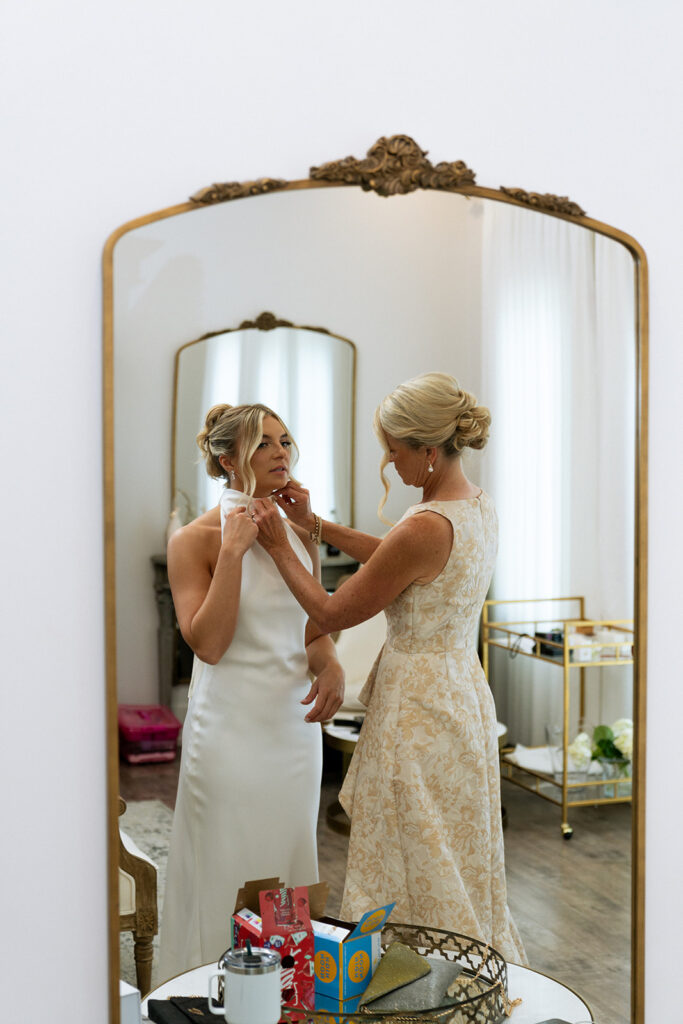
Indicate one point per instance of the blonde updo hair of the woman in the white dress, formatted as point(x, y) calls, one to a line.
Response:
point(236, 432)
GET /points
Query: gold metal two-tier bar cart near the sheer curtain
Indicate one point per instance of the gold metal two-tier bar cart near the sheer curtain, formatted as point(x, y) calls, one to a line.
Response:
point(590, 648)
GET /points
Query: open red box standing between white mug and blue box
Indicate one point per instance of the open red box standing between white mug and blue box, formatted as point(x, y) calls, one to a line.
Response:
point(272, 916)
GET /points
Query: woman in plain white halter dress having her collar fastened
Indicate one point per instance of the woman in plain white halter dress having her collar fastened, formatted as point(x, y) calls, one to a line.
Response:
point(250, 773)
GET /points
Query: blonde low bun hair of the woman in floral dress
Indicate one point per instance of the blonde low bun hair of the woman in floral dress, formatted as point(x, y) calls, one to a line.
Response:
point(431, 411)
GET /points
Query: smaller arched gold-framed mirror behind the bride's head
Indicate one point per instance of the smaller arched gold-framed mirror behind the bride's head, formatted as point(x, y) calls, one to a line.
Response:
point(305, 373)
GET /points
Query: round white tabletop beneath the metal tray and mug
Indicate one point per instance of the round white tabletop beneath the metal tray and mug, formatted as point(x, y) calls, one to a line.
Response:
point(542, 998)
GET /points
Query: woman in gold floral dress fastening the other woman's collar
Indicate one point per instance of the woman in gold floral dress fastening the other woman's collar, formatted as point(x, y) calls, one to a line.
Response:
point(423, 789)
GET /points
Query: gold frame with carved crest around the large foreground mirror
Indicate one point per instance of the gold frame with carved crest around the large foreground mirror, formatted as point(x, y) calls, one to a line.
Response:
point(397, 166)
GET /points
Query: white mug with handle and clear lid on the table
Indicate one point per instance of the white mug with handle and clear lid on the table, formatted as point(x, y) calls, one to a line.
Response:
point(251, 987)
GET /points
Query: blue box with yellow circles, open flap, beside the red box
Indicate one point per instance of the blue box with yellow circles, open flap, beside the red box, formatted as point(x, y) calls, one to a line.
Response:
point(347, 956)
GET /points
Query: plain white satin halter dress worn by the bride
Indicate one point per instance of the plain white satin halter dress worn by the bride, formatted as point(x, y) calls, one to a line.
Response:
point(250, 772)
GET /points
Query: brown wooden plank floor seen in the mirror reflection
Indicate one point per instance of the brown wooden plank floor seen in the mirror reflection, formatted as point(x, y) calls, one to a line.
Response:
point(571, 900)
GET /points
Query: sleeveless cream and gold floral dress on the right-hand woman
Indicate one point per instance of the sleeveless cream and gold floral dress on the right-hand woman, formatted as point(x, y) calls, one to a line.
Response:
point(423, 788)
